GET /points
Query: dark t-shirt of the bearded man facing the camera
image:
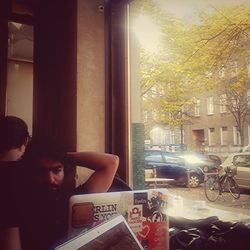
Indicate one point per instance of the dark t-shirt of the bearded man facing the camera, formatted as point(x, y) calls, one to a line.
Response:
point(44, 221)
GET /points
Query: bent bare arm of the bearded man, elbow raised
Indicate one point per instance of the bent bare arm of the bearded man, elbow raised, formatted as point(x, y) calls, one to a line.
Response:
point(104, 165)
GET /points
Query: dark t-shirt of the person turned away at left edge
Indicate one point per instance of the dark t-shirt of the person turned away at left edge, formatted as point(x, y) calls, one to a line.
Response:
point(10, 193)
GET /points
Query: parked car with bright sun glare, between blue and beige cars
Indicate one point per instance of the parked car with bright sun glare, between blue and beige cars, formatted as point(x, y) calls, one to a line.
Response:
point(207, 162)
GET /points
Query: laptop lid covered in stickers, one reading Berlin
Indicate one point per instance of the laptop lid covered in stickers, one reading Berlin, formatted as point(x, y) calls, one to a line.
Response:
point(144, 210)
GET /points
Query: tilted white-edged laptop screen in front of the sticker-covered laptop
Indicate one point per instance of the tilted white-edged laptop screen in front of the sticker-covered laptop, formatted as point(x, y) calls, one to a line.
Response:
point(111, 234)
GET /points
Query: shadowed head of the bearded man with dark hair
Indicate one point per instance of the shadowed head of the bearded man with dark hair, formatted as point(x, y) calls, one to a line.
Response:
point(46, 162)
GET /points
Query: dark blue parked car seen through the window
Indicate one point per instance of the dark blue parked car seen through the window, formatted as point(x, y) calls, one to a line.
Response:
point(172, 166)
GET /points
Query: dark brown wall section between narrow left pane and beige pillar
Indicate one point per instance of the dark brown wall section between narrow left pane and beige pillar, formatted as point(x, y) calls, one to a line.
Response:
point(55, 71)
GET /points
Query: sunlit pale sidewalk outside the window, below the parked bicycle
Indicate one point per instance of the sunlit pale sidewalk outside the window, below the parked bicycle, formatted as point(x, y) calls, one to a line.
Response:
point(226, 207)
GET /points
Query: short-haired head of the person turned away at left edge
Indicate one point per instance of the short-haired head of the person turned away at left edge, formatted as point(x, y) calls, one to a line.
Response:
point(14, 137)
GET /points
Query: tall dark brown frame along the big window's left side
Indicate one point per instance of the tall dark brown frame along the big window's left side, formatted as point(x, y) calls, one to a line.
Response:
point(116, 46)
